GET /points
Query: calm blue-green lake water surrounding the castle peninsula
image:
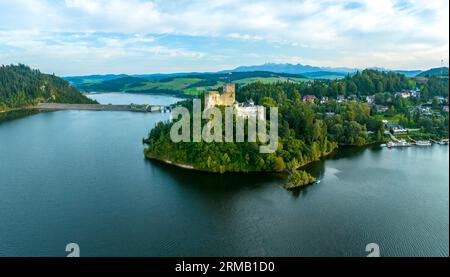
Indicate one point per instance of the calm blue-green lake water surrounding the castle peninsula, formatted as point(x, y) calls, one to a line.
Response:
point(80, 176)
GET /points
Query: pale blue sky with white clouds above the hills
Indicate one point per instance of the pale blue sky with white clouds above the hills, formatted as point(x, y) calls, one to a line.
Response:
point(82, 37)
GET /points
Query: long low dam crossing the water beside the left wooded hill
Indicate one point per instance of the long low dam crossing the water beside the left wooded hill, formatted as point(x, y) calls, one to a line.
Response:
point(100, 107)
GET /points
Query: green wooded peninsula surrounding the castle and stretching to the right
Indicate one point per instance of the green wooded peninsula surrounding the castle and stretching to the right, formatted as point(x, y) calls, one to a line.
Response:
point(314, 119)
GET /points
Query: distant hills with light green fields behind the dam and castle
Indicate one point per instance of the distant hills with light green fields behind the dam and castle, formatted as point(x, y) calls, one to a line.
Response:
point(184, 84)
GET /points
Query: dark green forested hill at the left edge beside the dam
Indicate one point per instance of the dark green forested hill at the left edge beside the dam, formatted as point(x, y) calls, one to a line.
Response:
point(21, 86)
